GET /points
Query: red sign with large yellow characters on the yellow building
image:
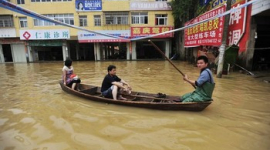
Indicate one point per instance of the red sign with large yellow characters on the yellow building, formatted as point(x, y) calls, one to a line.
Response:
point(146, 31)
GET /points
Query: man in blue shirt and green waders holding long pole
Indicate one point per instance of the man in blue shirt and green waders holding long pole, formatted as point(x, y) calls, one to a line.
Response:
point(204, 84)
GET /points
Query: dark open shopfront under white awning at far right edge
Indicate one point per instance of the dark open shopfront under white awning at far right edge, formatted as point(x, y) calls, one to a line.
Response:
point(259, 37)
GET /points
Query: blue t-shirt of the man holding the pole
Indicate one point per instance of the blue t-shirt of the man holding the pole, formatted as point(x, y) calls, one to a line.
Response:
point(205, 76)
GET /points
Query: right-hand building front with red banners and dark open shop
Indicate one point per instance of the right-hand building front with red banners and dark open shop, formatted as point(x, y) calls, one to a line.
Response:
point(248, 29)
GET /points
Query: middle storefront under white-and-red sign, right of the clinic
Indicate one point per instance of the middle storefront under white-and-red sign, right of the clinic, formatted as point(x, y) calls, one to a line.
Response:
point(107, 48)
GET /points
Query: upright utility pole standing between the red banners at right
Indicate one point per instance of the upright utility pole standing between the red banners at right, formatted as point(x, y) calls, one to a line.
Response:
point(224, 41)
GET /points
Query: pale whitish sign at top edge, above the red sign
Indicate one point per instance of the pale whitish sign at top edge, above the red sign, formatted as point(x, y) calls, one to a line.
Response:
point(149, 6)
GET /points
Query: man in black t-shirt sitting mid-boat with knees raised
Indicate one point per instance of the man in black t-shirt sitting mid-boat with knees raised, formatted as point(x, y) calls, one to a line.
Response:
point(112, 84)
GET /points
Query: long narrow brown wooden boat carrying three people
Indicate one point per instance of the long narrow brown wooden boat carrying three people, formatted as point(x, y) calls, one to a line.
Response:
point(136, 99)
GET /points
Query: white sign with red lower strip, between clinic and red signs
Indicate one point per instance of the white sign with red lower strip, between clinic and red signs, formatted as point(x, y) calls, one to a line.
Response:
point(88, 37)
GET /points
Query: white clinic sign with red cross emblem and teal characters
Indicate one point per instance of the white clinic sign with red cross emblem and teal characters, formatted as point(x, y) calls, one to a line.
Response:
point(44, 34)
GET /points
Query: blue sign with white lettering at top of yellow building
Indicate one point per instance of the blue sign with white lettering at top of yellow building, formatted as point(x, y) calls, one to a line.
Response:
point(88, 5)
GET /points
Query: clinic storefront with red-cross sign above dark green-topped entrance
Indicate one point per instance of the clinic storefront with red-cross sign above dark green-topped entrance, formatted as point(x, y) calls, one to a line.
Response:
point(46, 45)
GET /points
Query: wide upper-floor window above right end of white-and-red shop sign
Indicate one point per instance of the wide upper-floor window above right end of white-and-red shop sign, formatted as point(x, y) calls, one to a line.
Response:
point(115, 18)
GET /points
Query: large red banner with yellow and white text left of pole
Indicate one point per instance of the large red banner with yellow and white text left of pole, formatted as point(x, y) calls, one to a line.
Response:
point(207, 33)
